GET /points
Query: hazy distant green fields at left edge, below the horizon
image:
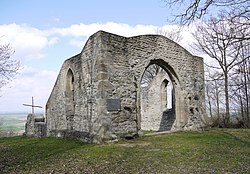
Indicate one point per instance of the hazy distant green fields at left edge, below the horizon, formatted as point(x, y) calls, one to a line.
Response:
point(14, 122)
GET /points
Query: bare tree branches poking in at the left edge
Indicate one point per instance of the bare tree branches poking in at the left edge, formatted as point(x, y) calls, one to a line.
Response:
point(8, 66)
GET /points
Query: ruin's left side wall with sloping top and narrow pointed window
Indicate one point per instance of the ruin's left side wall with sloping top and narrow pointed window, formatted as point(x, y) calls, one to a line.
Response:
point(80, 122)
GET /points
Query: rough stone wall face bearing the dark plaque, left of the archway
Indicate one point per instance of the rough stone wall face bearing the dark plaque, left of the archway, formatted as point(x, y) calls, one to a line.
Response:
point(117, 83)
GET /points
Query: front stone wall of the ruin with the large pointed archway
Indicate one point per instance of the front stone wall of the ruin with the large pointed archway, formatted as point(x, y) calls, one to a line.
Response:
point(124, 62)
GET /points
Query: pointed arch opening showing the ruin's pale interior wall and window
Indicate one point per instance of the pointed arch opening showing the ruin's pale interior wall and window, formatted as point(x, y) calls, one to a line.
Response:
point(157, 99)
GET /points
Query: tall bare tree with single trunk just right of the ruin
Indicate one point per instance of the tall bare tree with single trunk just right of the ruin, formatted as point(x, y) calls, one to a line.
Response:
point(222, 41)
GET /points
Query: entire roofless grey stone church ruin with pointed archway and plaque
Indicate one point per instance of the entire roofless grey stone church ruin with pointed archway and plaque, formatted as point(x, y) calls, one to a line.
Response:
point(101, 94)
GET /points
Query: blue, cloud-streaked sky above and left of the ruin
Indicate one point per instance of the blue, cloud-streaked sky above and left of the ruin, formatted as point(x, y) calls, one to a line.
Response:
point(44, 33)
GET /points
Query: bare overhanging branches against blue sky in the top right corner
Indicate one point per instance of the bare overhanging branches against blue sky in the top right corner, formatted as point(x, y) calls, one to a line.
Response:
point(196, 9)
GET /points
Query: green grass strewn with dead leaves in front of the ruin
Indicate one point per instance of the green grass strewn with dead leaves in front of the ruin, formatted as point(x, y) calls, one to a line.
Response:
point(212, 151)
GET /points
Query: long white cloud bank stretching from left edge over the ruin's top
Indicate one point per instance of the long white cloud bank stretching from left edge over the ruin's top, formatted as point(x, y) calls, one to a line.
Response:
point(30, 42)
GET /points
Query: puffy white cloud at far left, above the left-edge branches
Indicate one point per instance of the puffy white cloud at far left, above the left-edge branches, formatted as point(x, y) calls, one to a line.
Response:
point(28, 42)
